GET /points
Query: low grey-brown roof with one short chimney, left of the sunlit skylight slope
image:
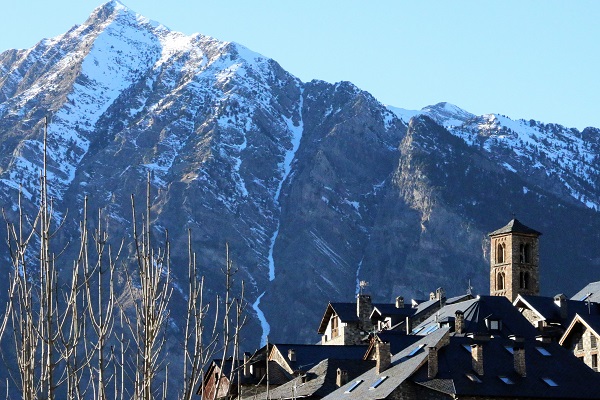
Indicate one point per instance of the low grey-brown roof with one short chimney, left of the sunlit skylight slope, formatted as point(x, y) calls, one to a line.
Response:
point(320, 380)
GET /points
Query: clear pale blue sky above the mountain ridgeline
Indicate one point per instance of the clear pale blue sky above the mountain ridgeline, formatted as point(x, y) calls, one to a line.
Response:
point(525, 59)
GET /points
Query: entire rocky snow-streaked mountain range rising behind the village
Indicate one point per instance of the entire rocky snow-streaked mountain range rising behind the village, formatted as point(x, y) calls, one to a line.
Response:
point(314, 185)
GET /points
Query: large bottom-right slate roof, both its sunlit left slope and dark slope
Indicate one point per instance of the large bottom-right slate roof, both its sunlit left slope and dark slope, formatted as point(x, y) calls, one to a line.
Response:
point(574, 379)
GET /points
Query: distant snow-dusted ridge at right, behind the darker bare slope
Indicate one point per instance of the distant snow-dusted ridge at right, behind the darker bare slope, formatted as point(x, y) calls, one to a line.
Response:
point(537, 151)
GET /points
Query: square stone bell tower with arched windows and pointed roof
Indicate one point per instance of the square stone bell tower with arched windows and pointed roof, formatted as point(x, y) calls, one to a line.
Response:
point(514, 261)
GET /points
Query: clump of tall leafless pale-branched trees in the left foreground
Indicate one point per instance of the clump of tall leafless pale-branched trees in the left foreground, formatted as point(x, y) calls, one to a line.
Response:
point(73, 337)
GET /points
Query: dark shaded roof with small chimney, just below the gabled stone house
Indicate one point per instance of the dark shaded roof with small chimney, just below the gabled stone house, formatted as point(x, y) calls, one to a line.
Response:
point(309, 355)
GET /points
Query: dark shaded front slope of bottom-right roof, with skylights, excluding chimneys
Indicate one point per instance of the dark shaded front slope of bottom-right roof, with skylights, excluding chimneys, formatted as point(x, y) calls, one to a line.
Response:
point(573, 378)
